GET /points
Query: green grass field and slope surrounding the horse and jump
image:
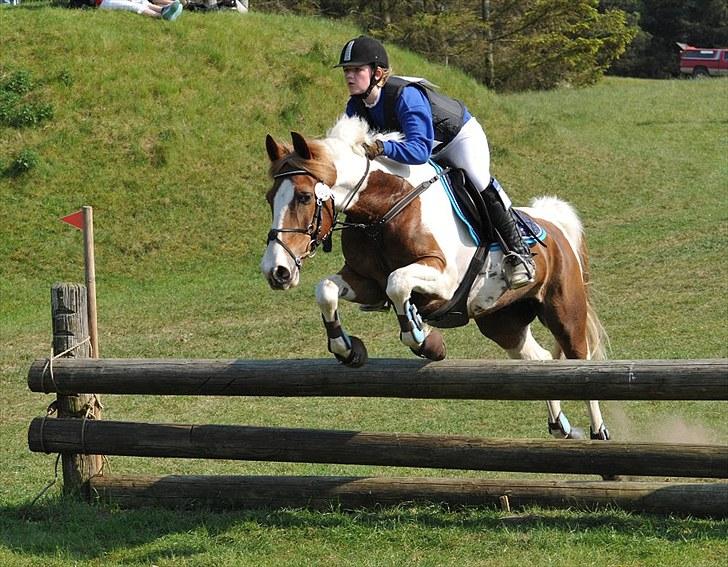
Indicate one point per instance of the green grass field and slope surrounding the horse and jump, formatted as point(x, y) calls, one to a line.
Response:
point(161, 129)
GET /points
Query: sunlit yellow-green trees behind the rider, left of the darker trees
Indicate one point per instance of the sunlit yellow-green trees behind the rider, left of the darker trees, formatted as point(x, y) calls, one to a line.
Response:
point(508, 44)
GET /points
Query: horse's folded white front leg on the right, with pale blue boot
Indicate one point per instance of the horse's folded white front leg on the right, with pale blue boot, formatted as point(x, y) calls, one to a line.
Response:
point(427, 278)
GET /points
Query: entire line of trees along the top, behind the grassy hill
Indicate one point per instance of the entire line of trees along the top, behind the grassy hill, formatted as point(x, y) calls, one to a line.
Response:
point(535, 44)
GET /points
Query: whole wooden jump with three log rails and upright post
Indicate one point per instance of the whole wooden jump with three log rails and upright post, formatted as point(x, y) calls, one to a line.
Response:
point(81, 437)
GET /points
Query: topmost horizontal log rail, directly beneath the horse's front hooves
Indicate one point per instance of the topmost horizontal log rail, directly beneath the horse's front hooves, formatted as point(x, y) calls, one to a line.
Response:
point(391, 378)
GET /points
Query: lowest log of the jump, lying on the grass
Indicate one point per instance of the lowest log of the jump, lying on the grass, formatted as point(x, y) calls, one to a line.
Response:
point(351, 493)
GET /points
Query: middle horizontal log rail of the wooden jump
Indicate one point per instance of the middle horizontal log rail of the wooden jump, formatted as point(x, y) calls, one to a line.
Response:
point(384, 449)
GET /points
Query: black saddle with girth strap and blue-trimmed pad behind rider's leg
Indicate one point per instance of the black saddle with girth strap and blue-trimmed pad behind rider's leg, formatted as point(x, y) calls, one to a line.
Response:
point(470, 208)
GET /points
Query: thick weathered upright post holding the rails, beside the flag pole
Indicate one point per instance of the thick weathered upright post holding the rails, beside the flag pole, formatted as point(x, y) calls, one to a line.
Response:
point(69, 309)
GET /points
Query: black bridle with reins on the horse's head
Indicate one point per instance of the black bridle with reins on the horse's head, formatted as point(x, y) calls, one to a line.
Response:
point(313, 230)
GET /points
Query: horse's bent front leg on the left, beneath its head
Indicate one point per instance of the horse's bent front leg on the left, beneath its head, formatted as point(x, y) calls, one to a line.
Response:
point(346, 285)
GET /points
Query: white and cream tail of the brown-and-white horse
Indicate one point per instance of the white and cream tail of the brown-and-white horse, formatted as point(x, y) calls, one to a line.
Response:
point(564, 216)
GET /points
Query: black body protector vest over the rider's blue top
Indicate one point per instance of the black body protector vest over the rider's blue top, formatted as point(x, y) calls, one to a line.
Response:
point(447, 113)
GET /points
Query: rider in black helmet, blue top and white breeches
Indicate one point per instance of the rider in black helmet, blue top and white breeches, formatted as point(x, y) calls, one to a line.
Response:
point(434, 126)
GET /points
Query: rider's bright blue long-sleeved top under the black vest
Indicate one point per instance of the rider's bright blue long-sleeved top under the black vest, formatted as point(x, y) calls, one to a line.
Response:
point(414, 113)
